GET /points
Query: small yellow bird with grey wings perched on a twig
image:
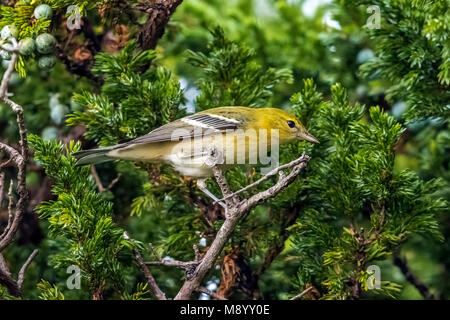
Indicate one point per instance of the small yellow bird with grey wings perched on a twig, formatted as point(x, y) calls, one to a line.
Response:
point(228, 135)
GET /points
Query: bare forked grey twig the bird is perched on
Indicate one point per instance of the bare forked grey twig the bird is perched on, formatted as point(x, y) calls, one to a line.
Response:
point(236, 212)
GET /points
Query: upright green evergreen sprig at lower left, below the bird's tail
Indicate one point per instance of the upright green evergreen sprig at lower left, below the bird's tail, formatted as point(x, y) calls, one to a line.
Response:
point(80, 218)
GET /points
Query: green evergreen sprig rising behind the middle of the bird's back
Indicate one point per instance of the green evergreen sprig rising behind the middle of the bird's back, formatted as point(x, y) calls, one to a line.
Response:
point(232, 77)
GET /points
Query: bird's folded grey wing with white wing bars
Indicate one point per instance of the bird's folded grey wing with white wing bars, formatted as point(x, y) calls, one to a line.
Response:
point(189, 127)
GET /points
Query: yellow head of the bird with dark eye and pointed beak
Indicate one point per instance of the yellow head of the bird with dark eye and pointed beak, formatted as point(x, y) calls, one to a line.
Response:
point(289, 127)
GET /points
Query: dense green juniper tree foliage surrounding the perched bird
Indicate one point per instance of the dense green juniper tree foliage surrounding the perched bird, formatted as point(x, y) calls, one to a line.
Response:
point(353, 206)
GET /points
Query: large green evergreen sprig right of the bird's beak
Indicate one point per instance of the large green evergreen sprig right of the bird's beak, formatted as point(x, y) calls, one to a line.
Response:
point(354, 183)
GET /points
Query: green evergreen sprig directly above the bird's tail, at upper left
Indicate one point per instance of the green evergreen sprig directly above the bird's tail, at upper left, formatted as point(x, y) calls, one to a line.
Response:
point(137, 96)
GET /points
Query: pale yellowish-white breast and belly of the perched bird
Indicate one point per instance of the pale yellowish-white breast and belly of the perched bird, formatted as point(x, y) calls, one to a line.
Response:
point(192, 157)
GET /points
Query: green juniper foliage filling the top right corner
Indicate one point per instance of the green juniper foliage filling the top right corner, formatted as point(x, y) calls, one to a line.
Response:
point(412, 51)
